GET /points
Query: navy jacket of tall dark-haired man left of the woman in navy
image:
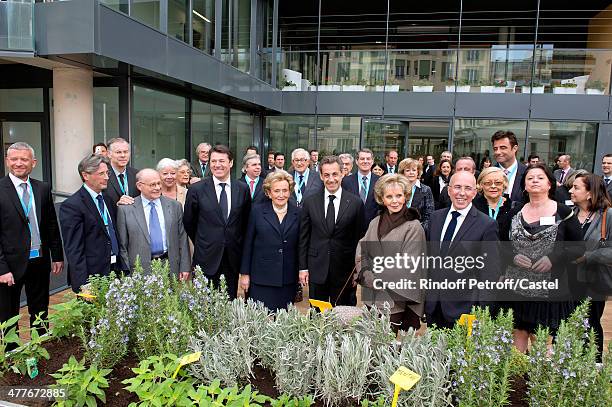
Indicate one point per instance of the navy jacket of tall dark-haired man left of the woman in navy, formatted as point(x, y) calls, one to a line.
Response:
point(210, 233)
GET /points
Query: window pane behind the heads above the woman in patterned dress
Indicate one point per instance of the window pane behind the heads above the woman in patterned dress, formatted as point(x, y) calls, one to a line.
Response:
point(550, 139)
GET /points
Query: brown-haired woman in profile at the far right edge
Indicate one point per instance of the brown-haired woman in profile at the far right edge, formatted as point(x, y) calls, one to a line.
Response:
point(595, 266)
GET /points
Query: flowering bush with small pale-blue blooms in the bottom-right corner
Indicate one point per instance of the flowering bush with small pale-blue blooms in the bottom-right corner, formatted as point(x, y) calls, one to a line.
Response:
point(567, 374)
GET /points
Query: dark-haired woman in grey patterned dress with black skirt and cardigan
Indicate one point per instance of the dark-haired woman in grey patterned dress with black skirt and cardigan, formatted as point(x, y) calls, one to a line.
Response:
point(537, 231)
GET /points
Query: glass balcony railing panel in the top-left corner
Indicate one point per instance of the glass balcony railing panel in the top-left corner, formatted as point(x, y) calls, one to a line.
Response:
point(16, 33)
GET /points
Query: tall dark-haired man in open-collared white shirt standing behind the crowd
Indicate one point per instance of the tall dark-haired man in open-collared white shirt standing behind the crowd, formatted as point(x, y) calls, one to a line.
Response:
point(505, 147)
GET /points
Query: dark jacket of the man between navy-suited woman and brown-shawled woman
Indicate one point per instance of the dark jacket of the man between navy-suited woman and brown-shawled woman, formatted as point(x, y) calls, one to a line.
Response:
point(329, 255)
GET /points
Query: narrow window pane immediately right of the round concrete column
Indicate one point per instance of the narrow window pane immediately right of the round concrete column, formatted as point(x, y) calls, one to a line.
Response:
point(106, 114)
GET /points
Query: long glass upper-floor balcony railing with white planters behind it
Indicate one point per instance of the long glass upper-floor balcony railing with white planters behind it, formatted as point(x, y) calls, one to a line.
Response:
point(482, 70)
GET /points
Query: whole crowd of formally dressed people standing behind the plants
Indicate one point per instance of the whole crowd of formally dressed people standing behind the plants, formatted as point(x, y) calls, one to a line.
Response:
point(319, 224)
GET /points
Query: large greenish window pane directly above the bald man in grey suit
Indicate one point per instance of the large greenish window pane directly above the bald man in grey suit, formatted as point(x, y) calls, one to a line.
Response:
point(158, 127)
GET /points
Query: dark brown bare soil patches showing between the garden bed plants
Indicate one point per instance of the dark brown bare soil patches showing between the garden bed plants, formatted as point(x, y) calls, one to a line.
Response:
point(116, 396)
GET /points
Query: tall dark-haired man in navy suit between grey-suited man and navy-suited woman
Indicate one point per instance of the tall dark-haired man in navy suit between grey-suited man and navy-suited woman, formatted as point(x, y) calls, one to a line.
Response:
point(216, 216)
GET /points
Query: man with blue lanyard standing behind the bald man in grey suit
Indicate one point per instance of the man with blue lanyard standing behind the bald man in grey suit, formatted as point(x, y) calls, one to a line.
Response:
point(122, 178)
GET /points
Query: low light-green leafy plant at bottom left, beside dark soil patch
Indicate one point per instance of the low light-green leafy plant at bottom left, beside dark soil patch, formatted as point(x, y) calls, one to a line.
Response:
point(83, 386)
